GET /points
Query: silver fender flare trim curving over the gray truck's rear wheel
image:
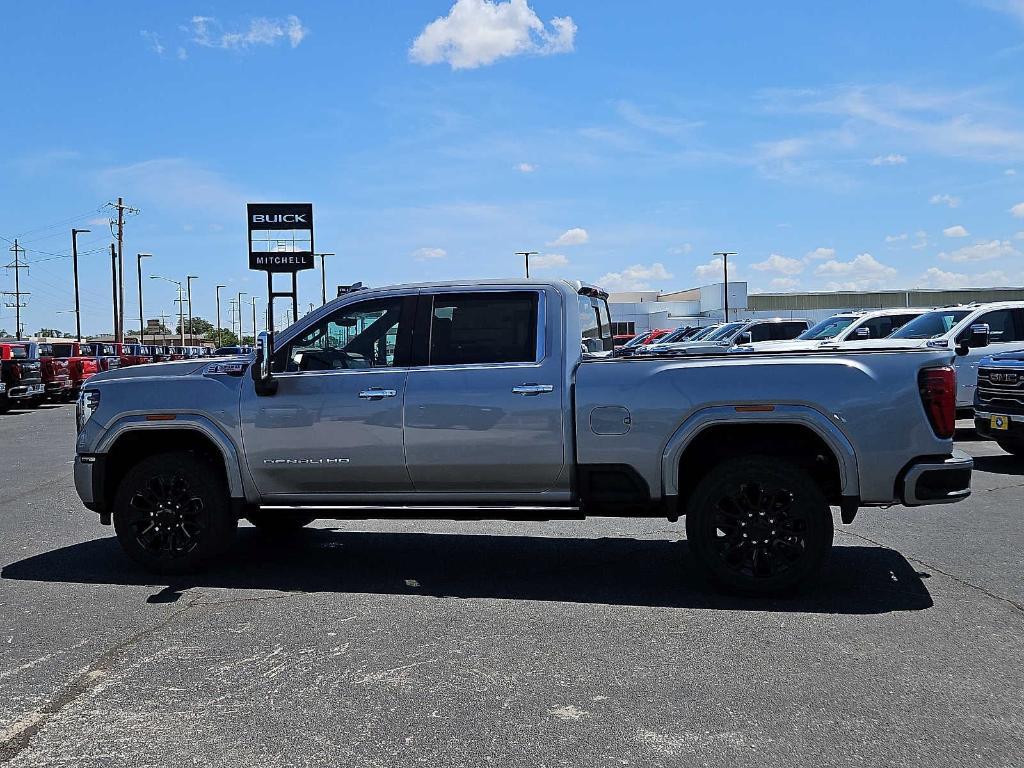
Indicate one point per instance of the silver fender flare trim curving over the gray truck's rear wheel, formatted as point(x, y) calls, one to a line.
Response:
point(819, 423)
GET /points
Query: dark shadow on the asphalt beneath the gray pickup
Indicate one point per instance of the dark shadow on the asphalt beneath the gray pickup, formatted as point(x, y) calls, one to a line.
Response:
point(618, 572)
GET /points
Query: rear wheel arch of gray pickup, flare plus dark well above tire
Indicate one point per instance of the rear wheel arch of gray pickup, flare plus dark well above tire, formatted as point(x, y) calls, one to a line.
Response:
point(715, 434)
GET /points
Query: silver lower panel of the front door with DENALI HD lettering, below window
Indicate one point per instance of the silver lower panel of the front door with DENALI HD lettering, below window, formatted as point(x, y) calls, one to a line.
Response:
point(319, 436)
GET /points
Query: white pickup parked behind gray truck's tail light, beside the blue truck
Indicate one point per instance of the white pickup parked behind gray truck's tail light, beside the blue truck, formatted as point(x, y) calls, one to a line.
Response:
point(973, 331)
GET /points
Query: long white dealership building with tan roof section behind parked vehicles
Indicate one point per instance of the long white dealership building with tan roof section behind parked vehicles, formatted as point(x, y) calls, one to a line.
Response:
point(642, 311)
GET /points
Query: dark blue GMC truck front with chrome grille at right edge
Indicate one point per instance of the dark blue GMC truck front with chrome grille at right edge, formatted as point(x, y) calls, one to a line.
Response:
point(999, 401)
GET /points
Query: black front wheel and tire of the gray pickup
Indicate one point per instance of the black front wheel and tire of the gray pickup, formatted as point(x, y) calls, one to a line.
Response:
point(173, 514)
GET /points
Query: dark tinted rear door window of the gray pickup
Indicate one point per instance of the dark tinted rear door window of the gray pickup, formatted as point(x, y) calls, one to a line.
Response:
point(496, 327)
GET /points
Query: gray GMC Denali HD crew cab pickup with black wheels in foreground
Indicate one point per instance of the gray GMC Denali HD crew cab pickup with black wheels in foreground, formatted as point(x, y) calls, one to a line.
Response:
point(496, 400)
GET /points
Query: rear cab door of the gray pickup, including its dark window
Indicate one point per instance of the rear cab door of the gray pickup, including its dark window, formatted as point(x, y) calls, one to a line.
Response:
point(486, 401)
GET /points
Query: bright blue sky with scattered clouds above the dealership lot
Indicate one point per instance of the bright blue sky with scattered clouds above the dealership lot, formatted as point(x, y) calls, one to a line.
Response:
point(869, 145)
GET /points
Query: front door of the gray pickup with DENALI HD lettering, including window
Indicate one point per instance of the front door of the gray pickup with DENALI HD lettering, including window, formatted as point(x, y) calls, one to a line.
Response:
point(335, 424)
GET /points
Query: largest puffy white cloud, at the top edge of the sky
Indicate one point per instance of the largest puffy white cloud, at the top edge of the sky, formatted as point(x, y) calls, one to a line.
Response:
point(477, 33)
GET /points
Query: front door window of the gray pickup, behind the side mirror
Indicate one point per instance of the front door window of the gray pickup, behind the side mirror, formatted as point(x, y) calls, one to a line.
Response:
point(362, 335)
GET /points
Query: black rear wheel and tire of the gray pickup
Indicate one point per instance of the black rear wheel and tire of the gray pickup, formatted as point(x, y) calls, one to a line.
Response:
point(759, 526)
